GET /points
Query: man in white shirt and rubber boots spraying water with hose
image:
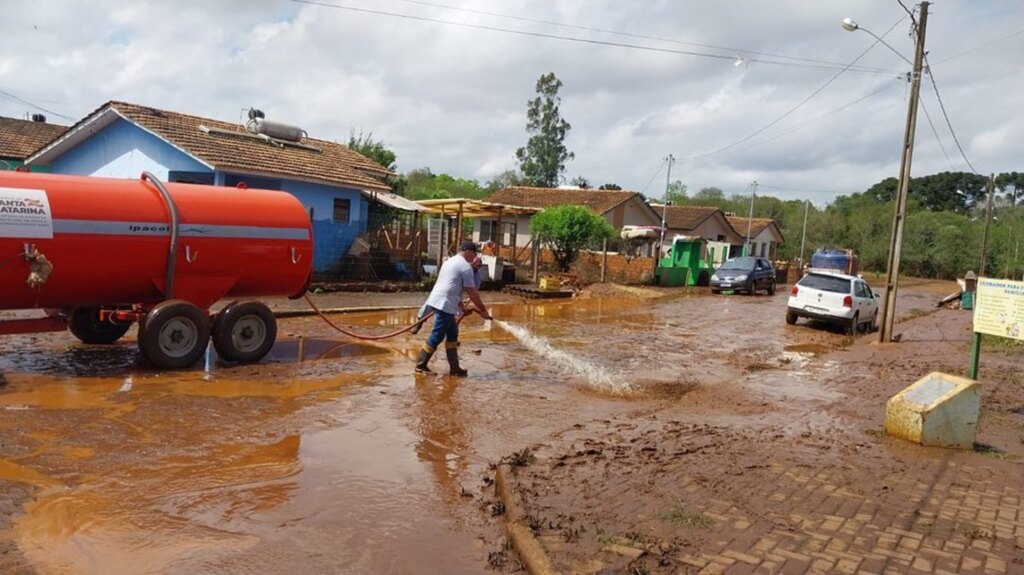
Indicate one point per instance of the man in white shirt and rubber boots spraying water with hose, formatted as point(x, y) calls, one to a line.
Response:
point(455, 278)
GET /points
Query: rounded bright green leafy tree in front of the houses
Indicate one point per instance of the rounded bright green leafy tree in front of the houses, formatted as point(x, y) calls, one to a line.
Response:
point(567, 231)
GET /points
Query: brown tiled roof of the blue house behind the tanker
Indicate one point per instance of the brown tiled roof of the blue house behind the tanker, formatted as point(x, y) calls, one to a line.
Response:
point(238, 150)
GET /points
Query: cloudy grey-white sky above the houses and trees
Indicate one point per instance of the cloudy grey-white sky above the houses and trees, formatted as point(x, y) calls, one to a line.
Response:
point(737, 92)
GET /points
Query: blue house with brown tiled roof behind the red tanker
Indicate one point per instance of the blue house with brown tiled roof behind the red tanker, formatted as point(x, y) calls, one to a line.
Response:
point(338, 187)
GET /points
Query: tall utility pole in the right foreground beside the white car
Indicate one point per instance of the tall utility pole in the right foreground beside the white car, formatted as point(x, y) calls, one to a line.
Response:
point(897, 242)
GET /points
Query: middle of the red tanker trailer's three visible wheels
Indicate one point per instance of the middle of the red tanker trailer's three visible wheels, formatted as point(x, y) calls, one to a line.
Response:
point(175, 335)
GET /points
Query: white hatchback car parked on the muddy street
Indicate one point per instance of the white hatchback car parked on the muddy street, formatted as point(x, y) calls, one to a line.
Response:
point(836, 298)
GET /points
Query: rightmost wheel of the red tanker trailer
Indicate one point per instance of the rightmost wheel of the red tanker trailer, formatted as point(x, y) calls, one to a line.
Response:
point(244, 332)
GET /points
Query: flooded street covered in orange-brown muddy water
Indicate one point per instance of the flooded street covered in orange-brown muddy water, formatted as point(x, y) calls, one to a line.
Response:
point(331, 457)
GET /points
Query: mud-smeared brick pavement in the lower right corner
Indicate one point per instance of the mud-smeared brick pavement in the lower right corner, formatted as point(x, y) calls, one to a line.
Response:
point(869, 506)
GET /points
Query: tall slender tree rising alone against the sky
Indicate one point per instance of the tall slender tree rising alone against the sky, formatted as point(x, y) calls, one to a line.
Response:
point(543, 159)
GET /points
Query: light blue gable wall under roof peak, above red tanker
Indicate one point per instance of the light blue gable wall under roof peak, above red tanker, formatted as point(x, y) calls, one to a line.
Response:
point(124, 151)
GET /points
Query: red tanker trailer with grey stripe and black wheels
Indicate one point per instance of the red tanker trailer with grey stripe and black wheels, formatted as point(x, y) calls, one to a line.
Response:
point(99, 255)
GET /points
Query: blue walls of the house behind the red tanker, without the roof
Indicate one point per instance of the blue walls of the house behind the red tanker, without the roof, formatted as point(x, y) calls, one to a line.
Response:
point(125, 151)
